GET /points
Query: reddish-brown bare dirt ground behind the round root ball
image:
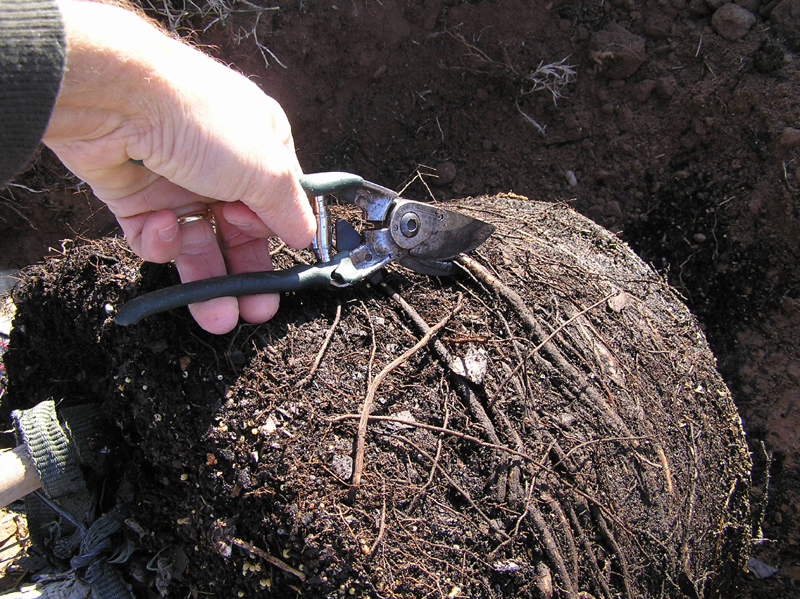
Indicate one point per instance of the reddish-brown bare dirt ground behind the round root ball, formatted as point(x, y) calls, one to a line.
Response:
point(690, 154)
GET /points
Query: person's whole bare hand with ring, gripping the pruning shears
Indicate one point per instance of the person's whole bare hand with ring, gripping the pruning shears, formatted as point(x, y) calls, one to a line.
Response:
point(207, 137)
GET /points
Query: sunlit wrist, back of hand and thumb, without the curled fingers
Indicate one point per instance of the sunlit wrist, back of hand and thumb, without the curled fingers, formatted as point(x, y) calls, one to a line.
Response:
point(190, 119)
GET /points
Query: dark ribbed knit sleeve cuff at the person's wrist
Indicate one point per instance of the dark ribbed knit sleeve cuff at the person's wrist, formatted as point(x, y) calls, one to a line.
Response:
point(32, 55)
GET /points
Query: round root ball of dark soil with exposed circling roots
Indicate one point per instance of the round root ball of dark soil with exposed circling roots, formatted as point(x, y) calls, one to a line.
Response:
point(590, 446)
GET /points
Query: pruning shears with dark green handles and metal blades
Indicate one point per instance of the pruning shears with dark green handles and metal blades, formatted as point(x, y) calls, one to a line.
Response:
point(422, 237)
